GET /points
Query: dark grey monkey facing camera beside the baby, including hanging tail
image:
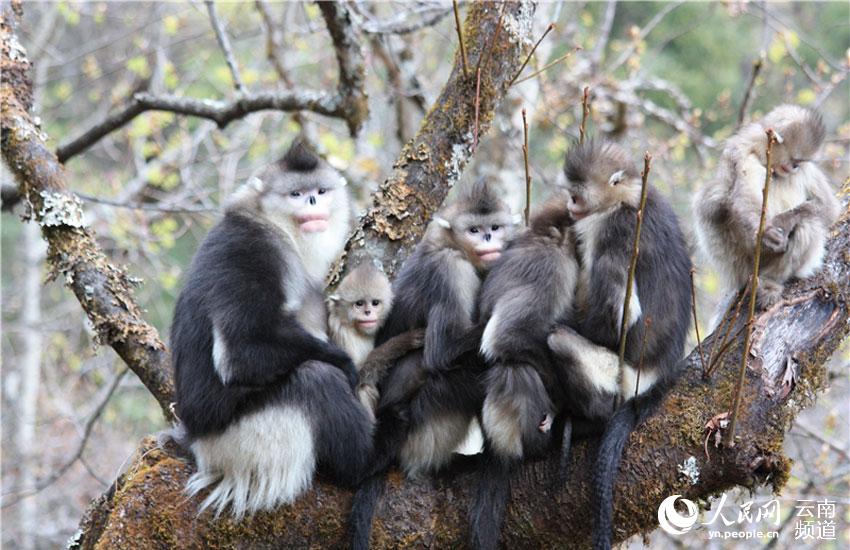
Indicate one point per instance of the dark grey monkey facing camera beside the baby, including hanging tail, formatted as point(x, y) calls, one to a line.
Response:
point(427, 402)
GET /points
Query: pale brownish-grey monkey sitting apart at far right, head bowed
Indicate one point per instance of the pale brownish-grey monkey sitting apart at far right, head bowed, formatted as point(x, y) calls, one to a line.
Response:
point(801, 204)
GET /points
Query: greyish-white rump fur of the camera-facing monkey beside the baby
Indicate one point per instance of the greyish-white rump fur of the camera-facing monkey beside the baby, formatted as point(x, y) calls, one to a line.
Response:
point(430, 447)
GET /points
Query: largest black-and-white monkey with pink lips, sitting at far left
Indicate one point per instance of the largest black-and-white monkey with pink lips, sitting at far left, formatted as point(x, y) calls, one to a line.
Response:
point(263, 397)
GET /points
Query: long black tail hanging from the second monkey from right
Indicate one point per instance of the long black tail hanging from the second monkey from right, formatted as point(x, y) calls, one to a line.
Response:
point(617, 431)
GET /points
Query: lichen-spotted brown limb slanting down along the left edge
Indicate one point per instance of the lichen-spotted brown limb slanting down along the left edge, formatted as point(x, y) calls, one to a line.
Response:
point(104, 290)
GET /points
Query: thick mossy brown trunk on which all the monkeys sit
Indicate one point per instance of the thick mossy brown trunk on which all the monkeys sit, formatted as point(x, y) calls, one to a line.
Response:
point(147, 507)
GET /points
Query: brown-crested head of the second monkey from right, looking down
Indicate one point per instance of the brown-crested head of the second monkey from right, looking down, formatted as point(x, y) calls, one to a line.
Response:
point(599, 177)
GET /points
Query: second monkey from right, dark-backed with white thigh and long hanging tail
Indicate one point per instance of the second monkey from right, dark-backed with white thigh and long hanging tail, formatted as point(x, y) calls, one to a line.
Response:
point(604, 191)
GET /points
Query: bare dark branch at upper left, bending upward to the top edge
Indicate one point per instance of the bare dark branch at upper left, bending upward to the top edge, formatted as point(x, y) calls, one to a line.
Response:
point(349, 102)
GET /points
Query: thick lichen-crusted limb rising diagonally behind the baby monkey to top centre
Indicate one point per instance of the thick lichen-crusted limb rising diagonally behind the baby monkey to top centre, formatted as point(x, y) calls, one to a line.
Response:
point(431, 163)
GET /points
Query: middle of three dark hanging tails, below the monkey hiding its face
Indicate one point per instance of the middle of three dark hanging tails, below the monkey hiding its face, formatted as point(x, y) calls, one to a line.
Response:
point(490, 500)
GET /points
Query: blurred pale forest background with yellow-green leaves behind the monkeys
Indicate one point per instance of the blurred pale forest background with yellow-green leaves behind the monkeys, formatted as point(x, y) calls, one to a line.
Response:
point(669, 78)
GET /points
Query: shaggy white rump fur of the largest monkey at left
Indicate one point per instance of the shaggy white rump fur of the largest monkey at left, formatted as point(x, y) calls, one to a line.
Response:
point(263, 460)
